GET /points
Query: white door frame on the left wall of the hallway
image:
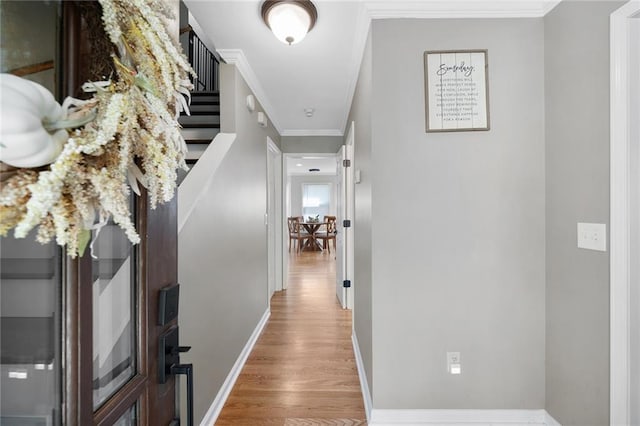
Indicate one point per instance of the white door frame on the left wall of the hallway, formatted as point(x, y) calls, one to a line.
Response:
point(274, 216)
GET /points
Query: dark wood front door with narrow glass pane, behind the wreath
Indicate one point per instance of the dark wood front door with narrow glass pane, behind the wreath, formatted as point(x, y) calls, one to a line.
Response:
point(111, 331)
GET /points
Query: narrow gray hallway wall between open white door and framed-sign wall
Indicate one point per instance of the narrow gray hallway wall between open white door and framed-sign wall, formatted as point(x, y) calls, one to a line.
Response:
point(362, 276)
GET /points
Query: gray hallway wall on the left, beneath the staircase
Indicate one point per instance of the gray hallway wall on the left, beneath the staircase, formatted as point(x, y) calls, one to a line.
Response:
point(223, 251)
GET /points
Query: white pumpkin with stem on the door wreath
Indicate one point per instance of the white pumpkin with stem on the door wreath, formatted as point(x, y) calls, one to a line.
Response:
point(25, 108)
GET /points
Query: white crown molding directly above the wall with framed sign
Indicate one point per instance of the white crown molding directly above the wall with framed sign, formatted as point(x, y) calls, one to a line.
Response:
point(459, 9)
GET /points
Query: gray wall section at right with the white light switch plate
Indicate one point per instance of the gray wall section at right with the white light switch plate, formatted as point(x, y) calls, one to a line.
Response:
point(577, 190)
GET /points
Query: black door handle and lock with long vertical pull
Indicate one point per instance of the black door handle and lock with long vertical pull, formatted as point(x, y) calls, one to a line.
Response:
point(169, 364)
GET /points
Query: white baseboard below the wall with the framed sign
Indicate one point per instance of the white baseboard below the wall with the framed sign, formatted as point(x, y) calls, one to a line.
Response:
point(462, 417)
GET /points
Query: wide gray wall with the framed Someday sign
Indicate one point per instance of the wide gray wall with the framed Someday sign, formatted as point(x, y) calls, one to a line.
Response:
point(457, 224)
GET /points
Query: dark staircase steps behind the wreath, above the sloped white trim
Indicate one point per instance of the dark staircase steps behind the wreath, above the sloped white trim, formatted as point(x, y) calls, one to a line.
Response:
point(201, 126)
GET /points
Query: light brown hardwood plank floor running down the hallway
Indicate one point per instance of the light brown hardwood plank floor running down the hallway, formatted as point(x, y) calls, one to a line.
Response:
point(302, 369)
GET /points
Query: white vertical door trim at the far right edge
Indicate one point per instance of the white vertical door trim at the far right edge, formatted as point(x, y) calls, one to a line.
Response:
point(620, 261)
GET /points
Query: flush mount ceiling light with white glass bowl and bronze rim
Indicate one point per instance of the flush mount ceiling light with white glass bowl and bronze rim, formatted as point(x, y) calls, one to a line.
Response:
point(290, 20)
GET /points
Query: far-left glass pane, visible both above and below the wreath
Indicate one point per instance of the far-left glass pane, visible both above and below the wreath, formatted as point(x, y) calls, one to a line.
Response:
point(30, 273)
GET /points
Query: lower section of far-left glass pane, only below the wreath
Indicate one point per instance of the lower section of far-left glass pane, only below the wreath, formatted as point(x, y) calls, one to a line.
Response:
point(30, 288)
